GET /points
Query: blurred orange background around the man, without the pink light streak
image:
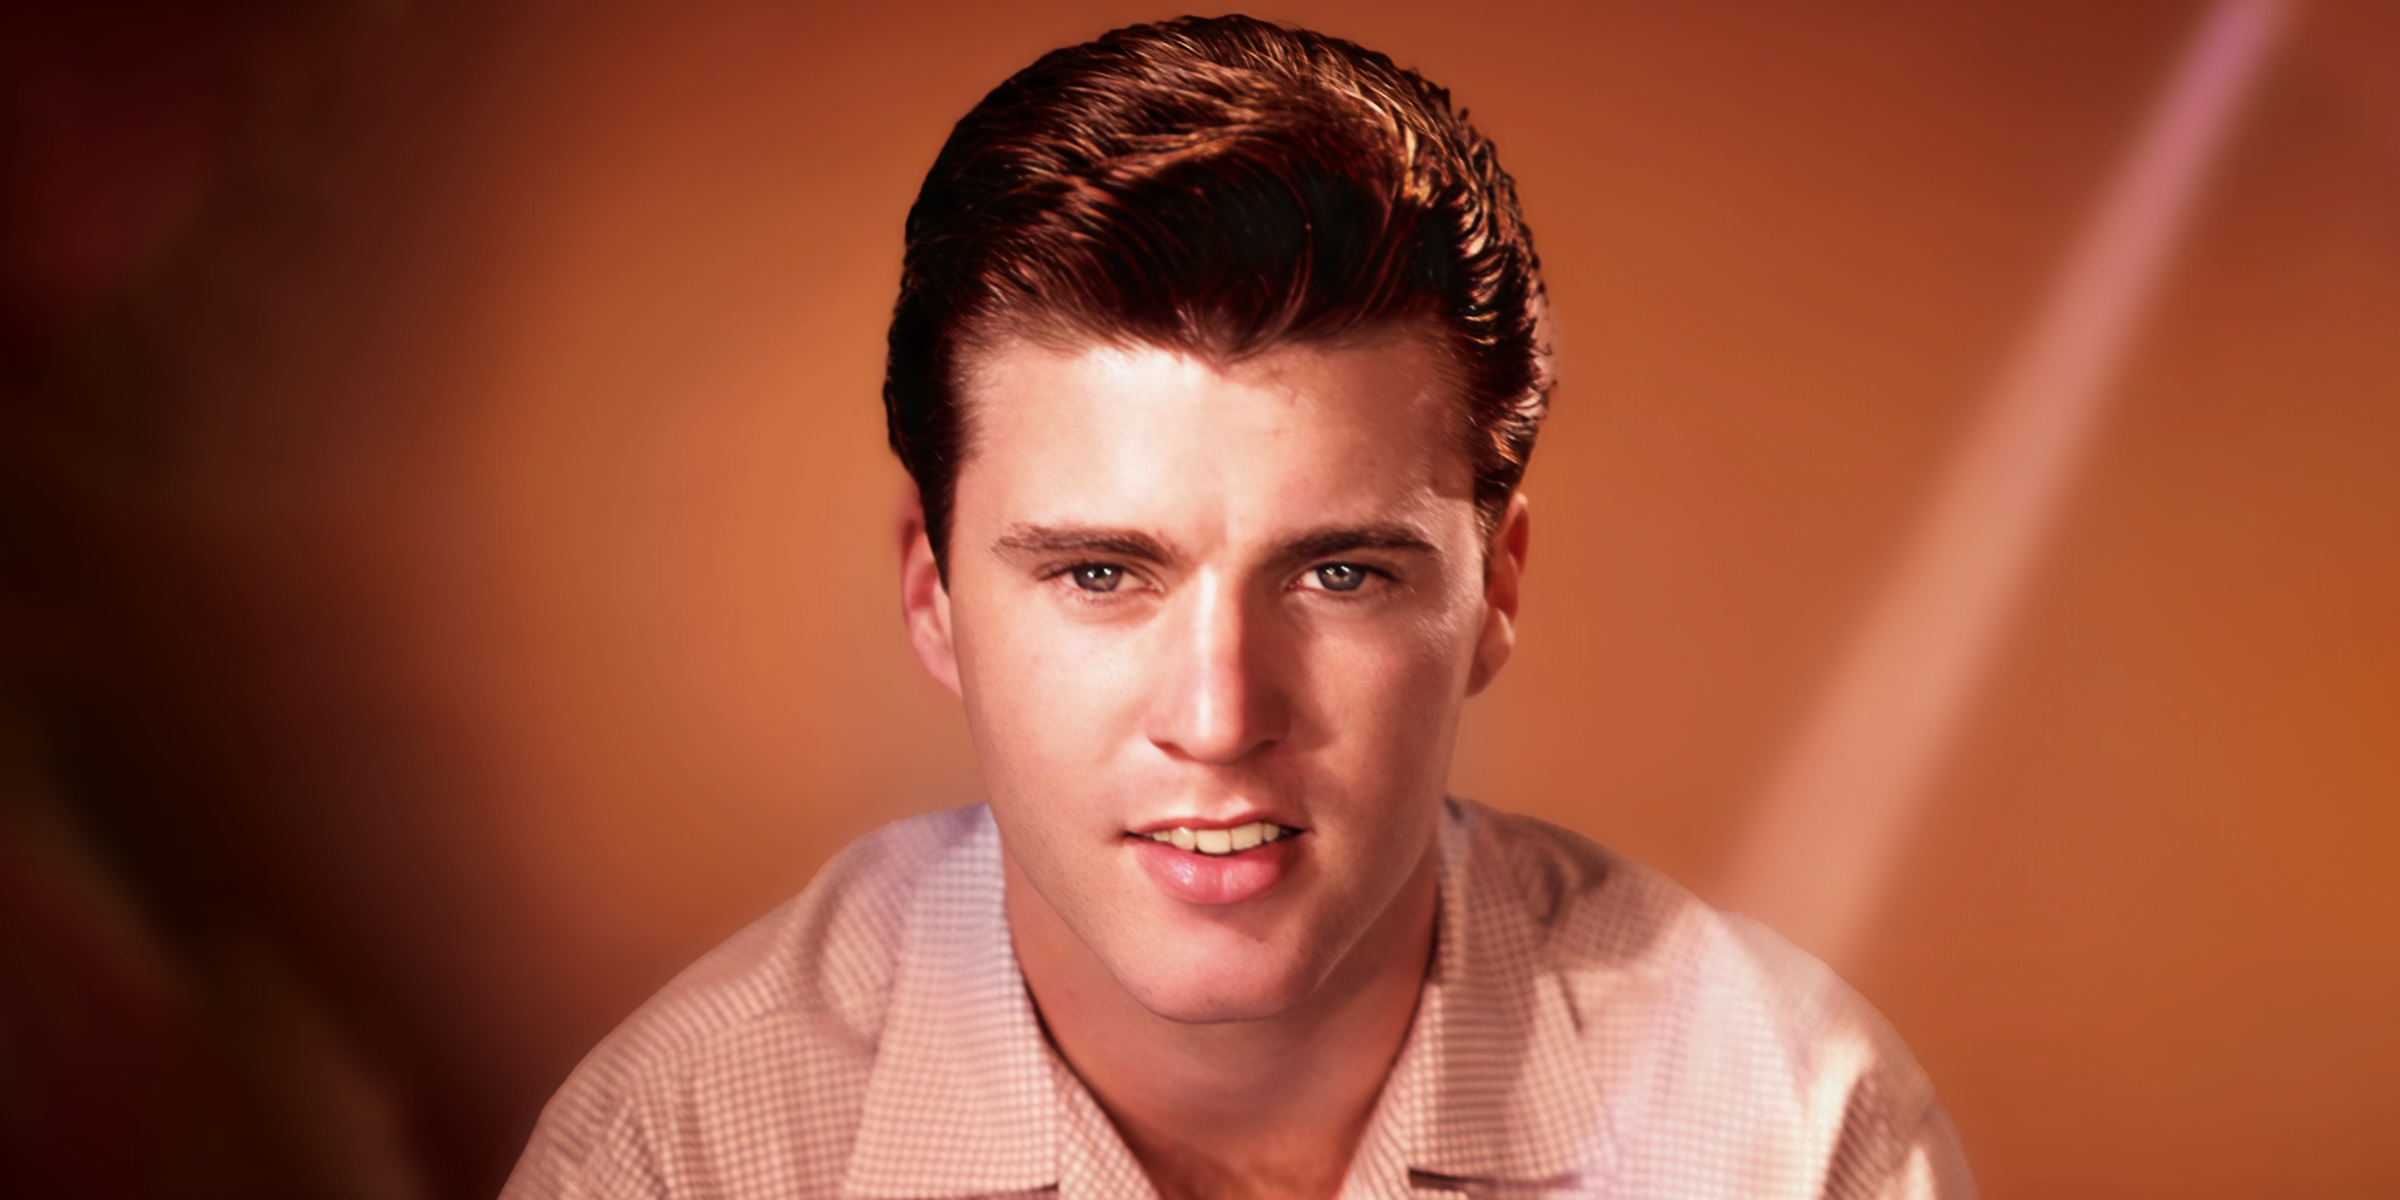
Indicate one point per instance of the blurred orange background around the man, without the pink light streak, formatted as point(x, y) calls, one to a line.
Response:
point(450, 565)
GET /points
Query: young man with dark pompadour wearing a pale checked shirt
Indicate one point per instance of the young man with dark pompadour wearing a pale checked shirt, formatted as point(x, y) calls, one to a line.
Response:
point(1218, 361)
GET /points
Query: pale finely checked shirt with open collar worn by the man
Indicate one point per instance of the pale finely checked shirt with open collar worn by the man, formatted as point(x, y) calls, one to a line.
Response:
point(1588, 1028)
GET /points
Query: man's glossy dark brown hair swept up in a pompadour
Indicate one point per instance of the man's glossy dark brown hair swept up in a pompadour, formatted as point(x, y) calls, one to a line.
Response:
point(1216, 186)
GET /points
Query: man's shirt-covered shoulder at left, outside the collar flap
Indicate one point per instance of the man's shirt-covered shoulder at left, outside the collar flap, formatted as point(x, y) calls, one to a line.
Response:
point(762, 1050)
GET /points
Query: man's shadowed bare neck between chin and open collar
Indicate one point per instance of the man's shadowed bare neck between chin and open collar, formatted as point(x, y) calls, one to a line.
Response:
point(1247, 1108)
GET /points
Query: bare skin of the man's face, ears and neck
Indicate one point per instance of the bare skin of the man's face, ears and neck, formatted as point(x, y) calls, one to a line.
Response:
point(1206, 594)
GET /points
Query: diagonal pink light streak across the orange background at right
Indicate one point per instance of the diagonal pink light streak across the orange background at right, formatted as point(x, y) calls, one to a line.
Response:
point(1835, 812)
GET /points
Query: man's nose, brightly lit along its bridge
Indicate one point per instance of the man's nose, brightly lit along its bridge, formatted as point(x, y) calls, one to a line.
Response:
point(1220, 697)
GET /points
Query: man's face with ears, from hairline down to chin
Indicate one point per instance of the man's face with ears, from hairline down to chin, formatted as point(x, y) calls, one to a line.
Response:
point(1242, 601)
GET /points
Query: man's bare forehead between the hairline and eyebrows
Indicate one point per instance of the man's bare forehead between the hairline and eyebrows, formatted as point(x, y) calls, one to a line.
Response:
point(1132, 433)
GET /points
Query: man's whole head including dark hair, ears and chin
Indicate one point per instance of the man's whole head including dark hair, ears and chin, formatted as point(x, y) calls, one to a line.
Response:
point(1218, 368)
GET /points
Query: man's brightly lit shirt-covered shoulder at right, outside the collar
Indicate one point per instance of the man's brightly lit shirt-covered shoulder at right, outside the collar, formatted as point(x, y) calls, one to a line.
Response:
point(1705, 1028)
